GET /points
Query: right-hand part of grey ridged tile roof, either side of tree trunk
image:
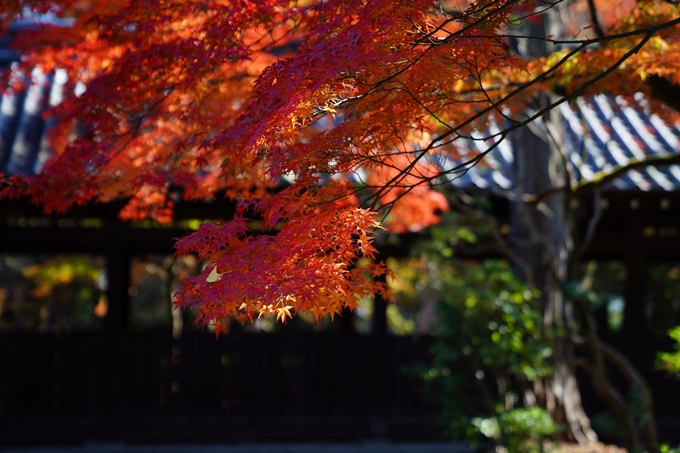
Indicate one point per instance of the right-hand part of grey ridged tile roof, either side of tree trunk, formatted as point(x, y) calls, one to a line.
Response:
point(600, 134)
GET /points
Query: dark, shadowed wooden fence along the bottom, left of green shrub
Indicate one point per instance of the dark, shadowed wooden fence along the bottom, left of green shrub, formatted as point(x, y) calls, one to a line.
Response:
point(258, 387)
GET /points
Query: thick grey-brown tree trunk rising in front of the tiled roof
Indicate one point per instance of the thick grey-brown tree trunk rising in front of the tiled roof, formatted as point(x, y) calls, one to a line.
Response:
point(541, 236)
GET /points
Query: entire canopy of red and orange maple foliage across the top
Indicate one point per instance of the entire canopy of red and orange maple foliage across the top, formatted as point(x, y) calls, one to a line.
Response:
point(323, 119)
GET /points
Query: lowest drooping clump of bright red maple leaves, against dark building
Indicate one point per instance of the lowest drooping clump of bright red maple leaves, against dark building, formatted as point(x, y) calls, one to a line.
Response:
point(308, 260)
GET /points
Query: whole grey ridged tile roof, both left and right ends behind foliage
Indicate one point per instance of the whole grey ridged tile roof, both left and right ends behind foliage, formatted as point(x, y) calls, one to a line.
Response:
point(599, 133)
